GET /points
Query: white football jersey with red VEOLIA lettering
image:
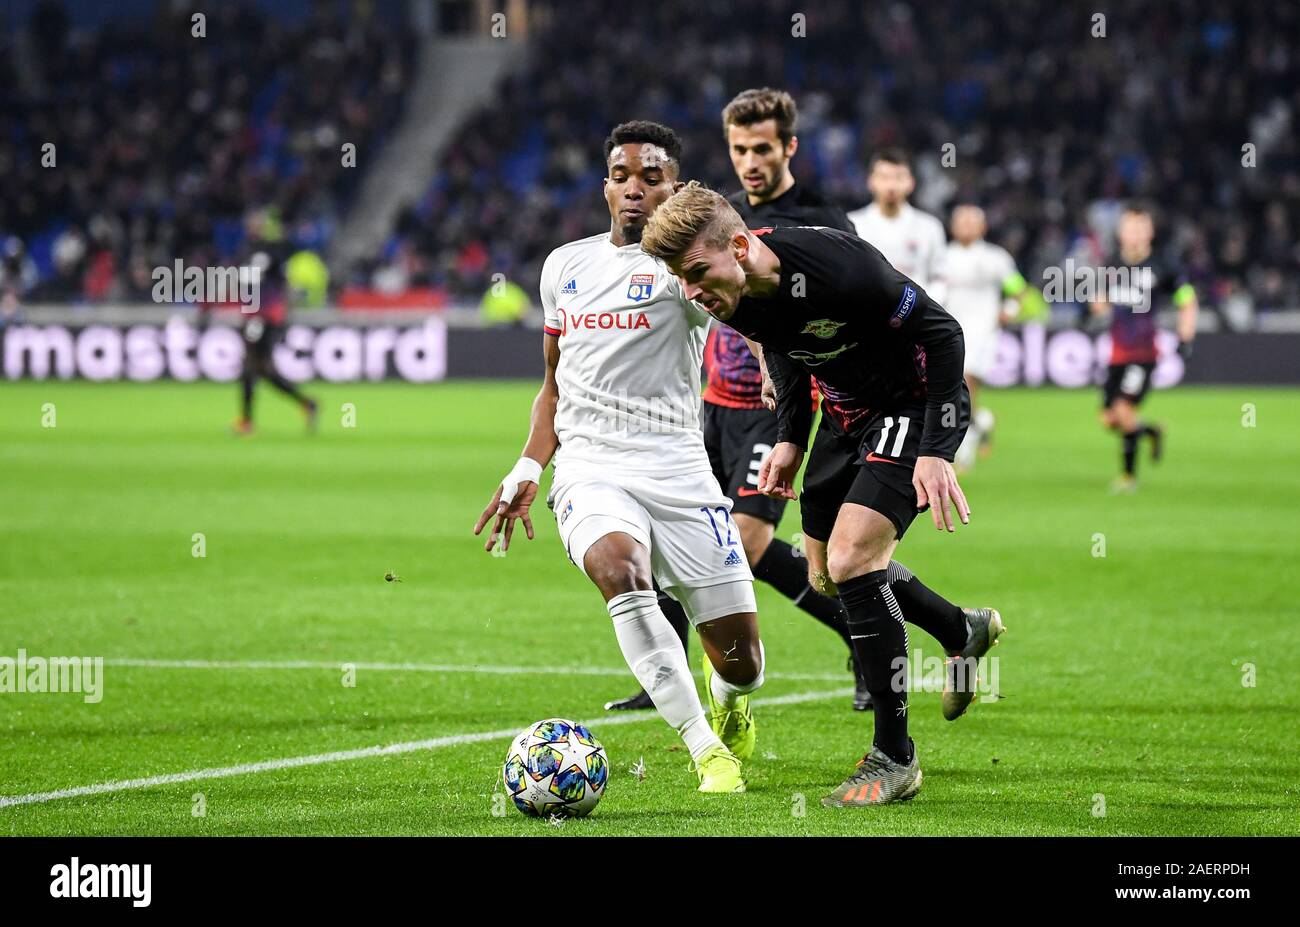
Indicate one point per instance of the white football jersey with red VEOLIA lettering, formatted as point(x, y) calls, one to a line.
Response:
point(631, 354)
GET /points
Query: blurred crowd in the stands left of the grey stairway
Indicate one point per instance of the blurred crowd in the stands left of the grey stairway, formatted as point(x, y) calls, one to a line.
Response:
point(168, 145)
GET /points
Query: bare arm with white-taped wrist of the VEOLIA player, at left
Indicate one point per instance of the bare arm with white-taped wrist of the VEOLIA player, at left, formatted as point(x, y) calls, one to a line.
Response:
point(517, 492)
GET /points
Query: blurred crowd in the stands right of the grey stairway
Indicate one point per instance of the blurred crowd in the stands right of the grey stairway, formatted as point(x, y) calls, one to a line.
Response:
point(1050, 124)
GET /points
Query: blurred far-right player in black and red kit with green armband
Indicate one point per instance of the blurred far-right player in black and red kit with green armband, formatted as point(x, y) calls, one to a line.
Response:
point(1130, 302)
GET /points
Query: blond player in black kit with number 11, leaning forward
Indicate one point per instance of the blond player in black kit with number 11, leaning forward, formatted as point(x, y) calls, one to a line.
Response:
point(889, 362)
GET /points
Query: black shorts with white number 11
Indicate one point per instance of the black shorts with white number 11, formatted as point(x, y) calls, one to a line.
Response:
point(870, 467)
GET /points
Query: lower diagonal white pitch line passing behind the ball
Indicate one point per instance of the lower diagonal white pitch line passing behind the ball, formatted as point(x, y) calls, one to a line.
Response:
point(363, 753)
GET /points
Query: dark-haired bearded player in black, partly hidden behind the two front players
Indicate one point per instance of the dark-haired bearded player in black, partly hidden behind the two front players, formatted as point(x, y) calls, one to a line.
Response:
point(740, 431)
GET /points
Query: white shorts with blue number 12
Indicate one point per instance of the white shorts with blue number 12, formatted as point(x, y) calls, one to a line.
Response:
point(684, 522)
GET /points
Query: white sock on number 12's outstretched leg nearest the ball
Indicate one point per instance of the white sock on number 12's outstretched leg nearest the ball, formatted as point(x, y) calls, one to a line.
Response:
point(656, 657)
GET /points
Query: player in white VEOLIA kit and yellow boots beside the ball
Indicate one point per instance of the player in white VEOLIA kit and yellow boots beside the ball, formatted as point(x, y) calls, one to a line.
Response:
point(632, 492)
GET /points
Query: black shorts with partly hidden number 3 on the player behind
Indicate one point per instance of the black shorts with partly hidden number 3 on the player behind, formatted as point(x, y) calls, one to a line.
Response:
point(738, 440)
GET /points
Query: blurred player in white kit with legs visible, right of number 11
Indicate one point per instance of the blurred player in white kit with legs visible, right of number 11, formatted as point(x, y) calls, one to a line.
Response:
point(980, 278)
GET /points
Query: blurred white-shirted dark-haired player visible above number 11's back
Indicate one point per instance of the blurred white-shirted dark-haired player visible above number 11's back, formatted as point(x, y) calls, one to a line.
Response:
point(911, 239)
